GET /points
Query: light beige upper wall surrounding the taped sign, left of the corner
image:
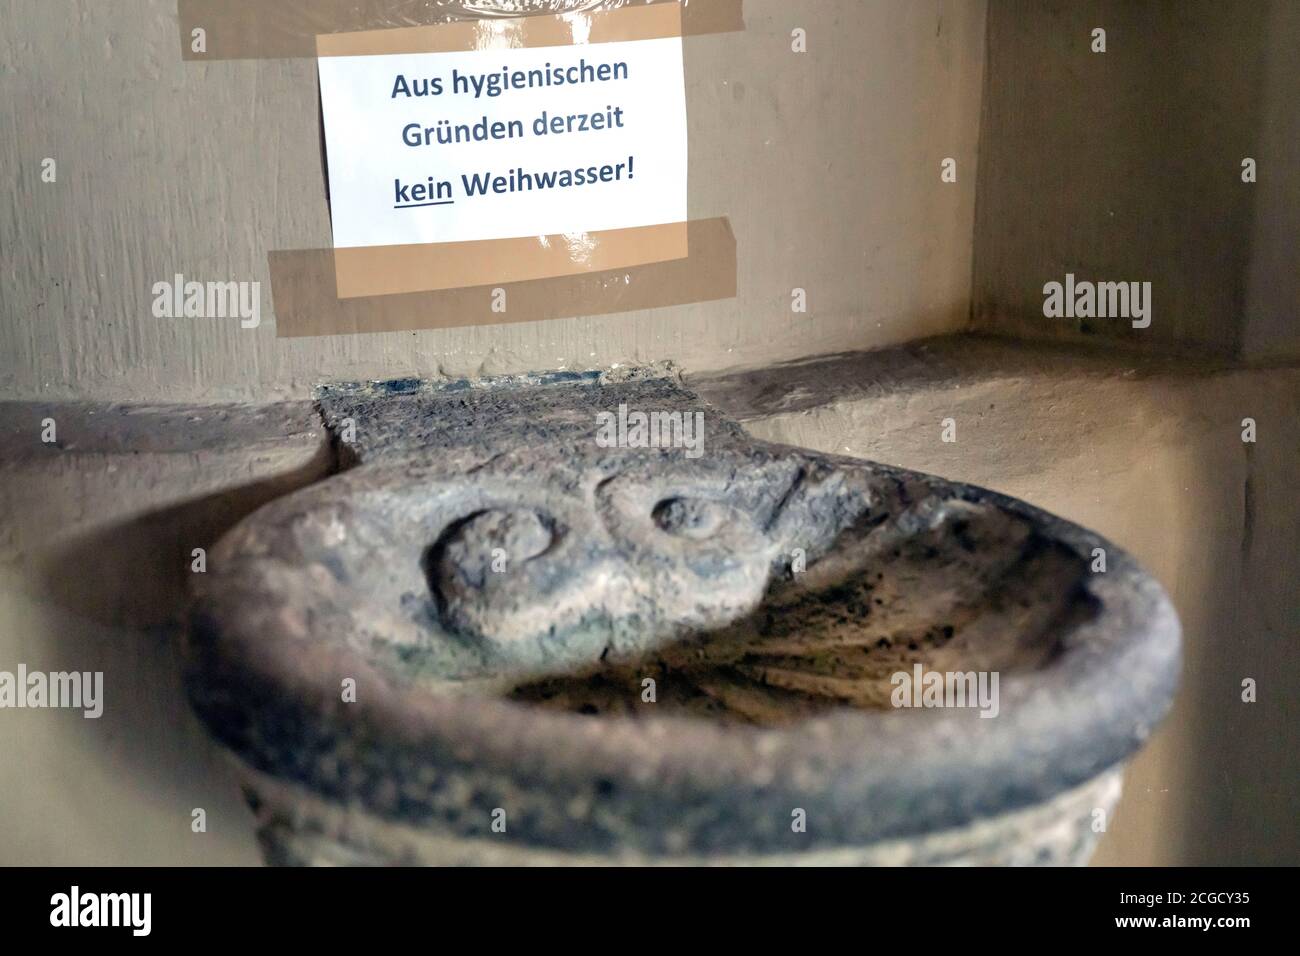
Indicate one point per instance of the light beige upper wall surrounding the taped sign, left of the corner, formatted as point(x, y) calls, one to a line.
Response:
point(826, 163)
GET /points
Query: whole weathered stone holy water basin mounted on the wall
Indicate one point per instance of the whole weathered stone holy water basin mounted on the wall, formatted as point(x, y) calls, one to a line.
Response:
point(497, 641)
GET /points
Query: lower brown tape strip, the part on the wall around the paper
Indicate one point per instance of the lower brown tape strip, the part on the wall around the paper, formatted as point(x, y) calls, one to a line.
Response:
point(304, 288)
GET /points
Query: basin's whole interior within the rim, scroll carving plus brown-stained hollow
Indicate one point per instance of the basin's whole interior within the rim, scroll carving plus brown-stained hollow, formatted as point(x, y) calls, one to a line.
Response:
point(574, 596)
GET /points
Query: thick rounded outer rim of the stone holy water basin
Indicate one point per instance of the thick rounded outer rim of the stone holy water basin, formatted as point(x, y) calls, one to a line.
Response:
point(1060, 726)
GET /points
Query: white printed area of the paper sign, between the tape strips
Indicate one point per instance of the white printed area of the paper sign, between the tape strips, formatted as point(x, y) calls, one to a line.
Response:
point(504, 144)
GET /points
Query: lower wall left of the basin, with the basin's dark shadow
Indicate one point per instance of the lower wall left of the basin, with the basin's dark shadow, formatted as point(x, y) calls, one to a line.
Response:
point(98, 547)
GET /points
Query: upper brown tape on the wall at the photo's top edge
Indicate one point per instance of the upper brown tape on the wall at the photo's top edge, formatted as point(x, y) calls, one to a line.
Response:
point(283, 29)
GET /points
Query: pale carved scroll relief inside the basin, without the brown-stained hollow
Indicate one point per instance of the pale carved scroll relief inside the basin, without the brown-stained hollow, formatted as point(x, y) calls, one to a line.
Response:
point(501, 576)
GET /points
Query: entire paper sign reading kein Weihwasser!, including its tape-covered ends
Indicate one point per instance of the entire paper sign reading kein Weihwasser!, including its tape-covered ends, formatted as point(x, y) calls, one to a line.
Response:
point(505, 150)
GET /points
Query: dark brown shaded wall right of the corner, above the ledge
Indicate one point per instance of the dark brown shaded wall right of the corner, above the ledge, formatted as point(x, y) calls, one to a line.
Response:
point(1126, 166)
